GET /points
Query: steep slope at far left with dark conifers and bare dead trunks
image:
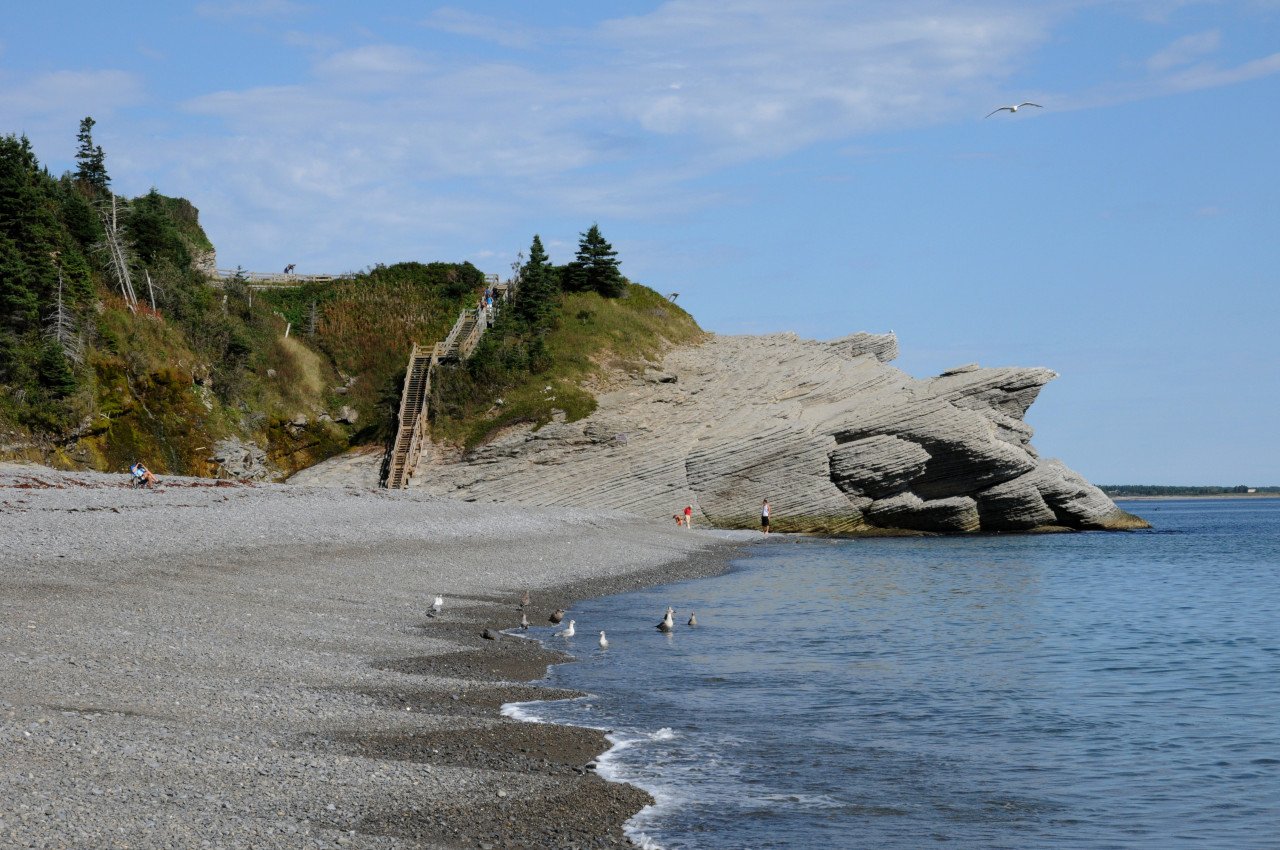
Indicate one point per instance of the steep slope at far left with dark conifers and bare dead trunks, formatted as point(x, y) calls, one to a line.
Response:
point(89, 378)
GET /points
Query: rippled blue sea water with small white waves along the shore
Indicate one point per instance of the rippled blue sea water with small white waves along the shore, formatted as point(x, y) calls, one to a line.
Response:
point(1089, 691)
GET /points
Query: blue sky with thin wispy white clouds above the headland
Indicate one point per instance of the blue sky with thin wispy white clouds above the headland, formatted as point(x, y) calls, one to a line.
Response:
point(819, 167)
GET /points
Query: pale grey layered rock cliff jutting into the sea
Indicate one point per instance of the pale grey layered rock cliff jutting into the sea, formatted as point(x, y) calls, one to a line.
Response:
point(833, 436)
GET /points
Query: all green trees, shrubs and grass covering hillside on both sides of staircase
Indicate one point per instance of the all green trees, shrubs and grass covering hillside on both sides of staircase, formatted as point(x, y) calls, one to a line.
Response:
point(116, 348)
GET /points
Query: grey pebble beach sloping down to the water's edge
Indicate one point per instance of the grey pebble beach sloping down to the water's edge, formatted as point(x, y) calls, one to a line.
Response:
point(231, 666)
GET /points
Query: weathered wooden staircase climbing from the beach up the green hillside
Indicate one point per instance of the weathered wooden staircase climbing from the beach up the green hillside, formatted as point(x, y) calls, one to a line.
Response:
point(412, 429)
